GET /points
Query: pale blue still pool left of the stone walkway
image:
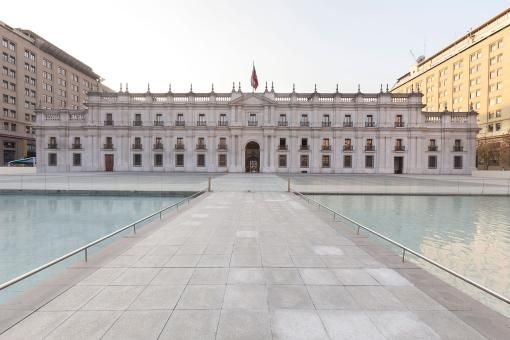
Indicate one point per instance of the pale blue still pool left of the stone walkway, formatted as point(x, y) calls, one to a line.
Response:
point(36, 229)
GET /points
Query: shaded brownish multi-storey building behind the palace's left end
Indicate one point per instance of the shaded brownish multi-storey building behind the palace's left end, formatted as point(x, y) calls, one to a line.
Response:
point(33, 72)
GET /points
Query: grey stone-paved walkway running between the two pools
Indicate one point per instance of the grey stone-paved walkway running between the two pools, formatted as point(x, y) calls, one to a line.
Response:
point(256, 265)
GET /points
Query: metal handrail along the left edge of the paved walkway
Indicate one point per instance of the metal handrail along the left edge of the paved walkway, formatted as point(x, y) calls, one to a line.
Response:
point(93, 243)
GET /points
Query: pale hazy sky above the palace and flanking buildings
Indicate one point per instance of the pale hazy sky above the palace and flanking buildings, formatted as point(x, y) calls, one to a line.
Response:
point(299, 42)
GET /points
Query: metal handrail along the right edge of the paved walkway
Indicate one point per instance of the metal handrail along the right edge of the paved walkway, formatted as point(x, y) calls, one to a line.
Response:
point(406, 249)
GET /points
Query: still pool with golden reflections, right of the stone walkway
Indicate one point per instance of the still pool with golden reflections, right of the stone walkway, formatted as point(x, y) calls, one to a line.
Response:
point(470, 235)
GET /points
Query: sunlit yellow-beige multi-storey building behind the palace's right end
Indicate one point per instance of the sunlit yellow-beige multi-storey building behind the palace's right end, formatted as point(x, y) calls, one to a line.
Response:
point(473, 71)
